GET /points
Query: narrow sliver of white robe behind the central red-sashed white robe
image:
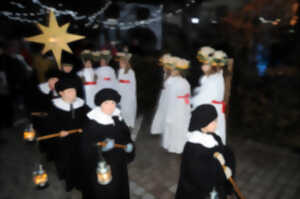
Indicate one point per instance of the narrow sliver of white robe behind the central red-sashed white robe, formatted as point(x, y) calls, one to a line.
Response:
point(157, 126)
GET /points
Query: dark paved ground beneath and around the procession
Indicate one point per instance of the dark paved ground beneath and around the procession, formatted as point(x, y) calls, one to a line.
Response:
point(263, 171)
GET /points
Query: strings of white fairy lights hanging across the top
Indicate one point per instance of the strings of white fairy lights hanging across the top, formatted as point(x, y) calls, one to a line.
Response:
point(90, 21)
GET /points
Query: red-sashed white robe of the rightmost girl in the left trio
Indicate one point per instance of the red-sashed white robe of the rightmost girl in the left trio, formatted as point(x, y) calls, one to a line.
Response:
point(127, 90)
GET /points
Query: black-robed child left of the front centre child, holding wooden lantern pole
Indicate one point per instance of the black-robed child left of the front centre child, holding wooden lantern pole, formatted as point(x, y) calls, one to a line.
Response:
point(67, 113)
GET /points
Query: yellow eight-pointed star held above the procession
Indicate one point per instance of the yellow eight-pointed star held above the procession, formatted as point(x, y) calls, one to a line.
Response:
point(55, 38)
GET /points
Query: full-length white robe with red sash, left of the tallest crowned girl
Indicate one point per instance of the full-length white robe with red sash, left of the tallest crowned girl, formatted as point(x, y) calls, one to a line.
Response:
point(178, 113)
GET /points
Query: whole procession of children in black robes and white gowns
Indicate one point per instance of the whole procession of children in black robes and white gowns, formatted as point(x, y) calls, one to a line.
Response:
point(104, 105)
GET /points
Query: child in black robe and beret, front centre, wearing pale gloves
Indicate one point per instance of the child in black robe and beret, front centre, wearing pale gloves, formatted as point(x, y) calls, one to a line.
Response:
point(106, 122)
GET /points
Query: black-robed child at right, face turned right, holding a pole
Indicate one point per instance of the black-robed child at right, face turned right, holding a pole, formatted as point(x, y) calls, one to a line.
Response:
point(201, 173)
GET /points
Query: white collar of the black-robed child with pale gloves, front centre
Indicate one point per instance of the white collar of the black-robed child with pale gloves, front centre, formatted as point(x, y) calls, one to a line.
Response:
point(102, 118)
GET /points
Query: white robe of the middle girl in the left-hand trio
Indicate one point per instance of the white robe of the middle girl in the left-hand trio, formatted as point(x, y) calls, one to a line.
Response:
point(106, 78)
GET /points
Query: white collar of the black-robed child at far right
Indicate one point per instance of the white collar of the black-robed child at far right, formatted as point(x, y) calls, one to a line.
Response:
point(204, 139)
